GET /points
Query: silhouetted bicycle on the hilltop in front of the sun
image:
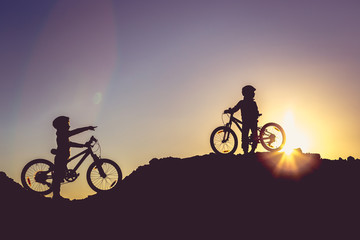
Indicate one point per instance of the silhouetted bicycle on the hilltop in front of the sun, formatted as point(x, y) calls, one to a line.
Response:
point(223, 139)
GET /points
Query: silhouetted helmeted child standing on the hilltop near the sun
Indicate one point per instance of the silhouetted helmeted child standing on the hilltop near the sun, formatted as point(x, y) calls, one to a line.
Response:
point(249, 115)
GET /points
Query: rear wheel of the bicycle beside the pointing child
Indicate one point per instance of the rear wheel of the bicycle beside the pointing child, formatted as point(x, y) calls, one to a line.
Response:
point(37, 176)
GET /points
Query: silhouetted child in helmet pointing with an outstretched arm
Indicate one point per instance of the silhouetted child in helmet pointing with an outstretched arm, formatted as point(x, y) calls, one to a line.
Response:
point(62, 126)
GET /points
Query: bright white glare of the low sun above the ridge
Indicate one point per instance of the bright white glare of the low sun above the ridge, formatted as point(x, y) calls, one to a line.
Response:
point(295, 136)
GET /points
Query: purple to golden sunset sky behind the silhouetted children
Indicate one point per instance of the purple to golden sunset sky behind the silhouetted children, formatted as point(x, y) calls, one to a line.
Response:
point(155, 76)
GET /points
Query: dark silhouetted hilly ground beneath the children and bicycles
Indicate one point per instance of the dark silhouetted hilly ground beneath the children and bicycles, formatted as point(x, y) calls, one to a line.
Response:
point(202, 197)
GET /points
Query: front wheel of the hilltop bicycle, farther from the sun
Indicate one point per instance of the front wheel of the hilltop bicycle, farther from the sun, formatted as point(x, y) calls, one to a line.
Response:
point(223, 140)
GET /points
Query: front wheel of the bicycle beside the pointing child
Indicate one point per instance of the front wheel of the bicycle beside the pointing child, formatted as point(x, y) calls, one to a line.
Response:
point(106, 178)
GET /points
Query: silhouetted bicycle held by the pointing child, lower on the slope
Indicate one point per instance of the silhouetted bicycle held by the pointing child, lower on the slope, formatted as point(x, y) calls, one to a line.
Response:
point(102, 174)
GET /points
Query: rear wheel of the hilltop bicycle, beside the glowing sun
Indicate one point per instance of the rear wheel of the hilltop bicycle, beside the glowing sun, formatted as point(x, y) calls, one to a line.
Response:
point(272, 137)
